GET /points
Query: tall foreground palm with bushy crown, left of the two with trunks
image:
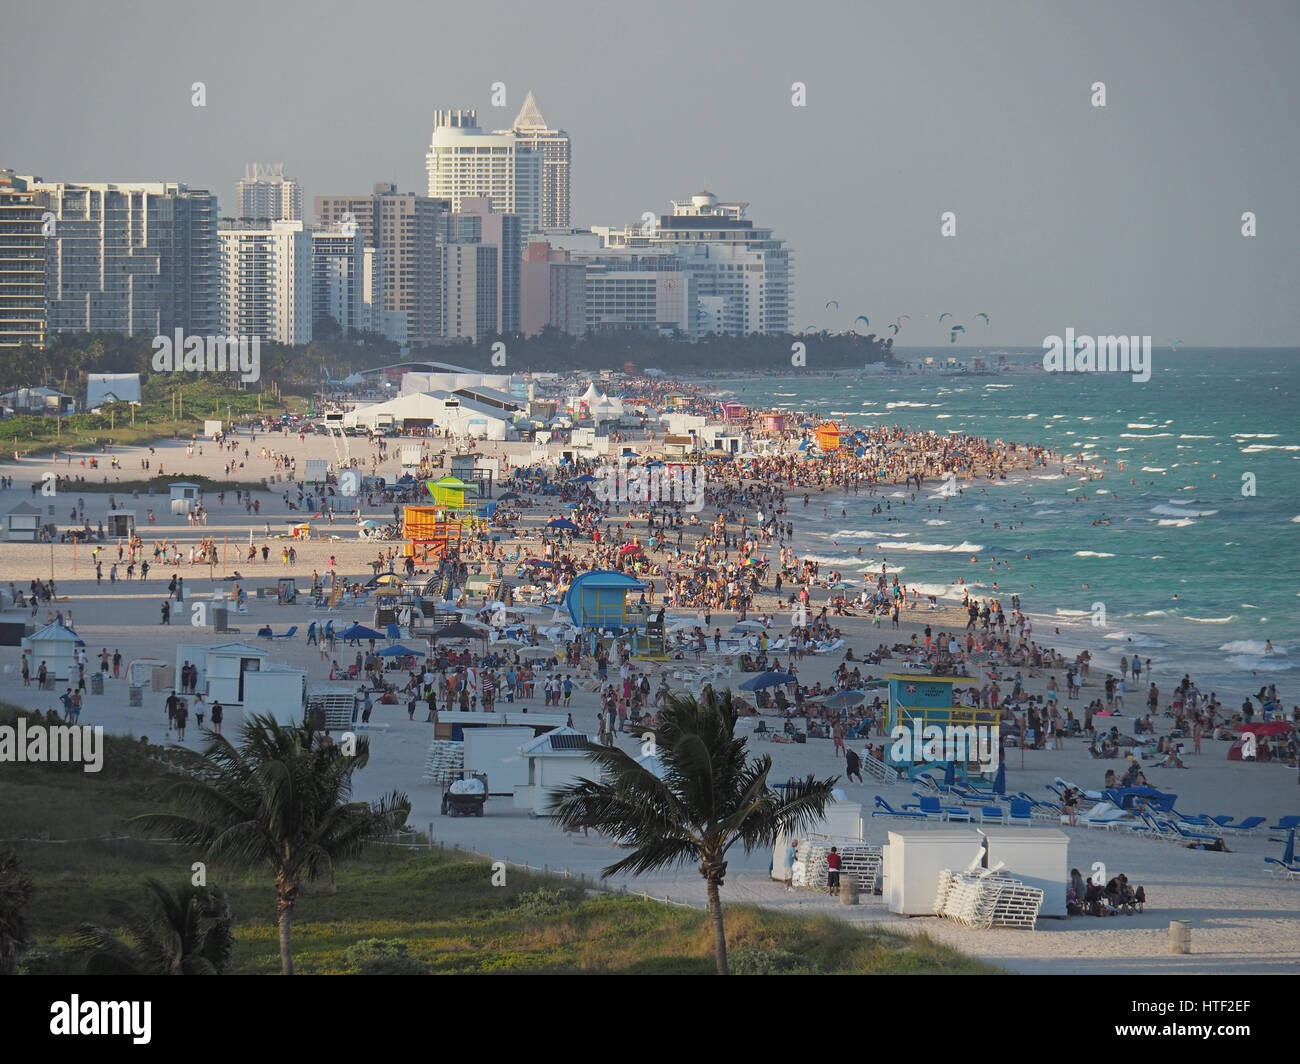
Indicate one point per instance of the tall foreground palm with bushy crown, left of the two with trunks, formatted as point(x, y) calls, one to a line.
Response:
point(281, 799)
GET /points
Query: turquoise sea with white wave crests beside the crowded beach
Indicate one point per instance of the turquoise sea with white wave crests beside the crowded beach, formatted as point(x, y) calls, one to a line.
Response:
point(1190, 572)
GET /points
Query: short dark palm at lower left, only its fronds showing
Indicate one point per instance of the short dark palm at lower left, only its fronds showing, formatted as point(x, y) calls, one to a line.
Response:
point(188, 933)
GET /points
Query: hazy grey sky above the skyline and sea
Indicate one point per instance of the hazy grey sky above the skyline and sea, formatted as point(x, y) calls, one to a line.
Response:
point(1124, 219)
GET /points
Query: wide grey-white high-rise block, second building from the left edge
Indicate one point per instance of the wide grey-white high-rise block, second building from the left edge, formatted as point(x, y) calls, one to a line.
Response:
point(135, 258)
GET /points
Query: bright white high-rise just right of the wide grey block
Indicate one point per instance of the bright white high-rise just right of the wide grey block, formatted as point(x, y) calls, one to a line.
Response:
point(267, 282)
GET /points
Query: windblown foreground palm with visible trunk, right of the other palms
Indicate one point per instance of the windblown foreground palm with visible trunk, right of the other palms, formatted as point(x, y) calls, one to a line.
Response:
point(709, 799)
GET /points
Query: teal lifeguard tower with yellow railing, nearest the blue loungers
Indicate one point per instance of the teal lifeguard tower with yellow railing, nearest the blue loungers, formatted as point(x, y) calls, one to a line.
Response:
point(924, 700)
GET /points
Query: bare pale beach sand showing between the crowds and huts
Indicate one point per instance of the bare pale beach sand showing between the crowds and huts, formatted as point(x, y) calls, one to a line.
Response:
point(1243, 922)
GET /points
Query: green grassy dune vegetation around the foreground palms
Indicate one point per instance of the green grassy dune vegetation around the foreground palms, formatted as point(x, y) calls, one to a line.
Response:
point(439, 906)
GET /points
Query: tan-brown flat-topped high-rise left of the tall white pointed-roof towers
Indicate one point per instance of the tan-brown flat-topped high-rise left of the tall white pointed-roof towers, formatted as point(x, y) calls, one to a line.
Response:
point(405, 228)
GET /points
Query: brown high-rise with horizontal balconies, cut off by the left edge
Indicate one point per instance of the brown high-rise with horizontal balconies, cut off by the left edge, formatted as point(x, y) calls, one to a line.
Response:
point(23, 265)
